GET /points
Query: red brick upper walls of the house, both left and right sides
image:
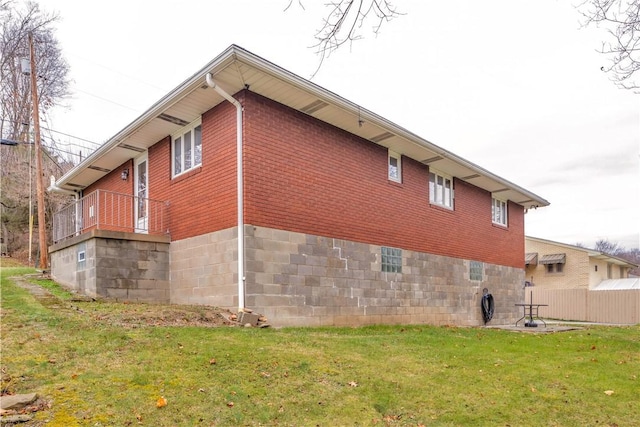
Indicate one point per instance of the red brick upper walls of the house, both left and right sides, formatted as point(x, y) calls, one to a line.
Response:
point(306, 176)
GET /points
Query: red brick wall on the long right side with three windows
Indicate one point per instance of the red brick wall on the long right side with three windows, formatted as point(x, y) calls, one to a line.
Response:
point(306, 176)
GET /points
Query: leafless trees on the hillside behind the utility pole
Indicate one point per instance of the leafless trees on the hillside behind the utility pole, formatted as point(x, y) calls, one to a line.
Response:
point(17, 22)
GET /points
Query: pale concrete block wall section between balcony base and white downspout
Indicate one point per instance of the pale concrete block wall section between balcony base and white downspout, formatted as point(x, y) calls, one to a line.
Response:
point(204, 269)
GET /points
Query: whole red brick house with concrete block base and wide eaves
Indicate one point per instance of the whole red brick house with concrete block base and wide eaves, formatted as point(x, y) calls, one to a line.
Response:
point(250, 187)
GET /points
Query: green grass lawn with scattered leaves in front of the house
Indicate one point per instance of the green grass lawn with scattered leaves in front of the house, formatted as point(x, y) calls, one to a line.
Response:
point(98, 364)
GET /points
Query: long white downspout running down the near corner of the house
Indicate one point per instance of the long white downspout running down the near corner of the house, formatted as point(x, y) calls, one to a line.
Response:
point(238, 106)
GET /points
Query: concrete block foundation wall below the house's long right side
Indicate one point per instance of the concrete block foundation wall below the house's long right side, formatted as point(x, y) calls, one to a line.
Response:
point(305, 280)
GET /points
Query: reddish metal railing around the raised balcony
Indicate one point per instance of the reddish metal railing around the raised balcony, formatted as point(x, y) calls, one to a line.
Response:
point(107, 210)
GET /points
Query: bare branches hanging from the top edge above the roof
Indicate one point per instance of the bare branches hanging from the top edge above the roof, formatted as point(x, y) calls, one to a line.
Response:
point(345, 19)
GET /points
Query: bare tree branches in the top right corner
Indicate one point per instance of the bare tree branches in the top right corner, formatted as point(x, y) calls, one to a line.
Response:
point(621, 19)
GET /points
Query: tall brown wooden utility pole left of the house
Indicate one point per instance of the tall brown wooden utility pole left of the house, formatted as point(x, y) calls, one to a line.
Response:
point(42, 232)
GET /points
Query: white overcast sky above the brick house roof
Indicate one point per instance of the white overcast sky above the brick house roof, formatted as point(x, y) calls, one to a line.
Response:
point(513, 86)
